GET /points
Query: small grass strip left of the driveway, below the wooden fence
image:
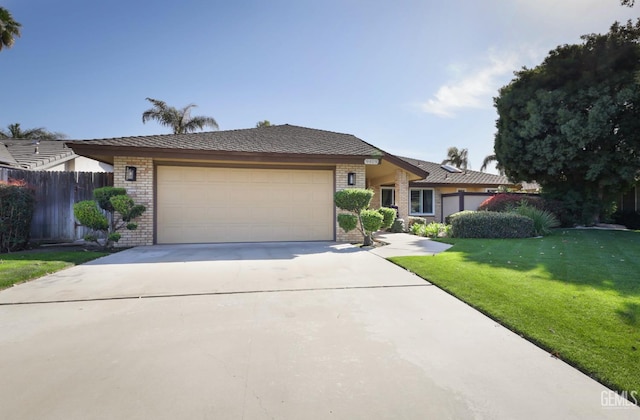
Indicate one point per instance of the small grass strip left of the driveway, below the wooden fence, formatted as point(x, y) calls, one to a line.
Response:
point(22, 266)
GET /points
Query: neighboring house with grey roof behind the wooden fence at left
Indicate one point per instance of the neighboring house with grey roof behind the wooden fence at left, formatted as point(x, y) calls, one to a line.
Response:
point(46, 155)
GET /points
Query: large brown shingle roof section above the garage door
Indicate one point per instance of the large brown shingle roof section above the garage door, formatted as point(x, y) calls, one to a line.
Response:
point(280, 139)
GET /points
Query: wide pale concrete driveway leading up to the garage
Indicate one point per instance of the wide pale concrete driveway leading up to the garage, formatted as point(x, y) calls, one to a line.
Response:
point(269, 331)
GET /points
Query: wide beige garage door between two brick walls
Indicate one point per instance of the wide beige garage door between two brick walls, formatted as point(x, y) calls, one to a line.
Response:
point(199, 205)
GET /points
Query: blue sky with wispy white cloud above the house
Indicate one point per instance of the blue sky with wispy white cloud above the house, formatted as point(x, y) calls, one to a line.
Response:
point(410, 77)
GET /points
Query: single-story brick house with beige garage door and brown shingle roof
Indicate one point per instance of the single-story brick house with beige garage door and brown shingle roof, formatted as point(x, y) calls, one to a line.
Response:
point(261, 184)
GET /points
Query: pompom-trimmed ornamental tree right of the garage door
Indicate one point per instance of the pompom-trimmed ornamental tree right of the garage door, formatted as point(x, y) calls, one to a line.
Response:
point(356, 201)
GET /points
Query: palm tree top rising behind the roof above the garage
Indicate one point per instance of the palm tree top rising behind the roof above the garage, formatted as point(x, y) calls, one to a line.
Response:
point(180, 120)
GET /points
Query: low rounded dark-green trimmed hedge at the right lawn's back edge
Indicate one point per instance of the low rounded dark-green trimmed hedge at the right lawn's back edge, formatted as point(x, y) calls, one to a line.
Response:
point(489, 224)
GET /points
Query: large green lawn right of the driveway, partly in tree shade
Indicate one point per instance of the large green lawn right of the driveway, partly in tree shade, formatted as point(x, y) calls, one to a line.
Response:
point(575, 293)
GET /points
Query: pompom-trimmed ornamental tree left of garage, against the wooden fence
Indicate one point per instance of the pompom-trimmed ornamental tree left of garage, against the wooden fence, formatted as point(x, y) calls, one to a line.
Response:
point(110, 211)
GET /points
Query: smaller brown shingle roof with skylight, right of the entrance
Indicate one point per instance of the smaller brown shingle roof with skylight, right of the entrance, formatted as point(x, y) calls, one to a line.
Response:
point(439, 175)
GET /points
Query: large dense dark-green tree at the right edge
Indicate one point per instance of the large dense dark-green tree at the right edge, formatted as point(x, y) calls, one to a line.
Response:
point(573, 122)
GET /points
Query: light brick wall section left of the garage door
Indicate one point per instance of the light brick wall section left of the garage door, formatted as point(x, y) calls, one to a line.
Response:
point(141, 190)
